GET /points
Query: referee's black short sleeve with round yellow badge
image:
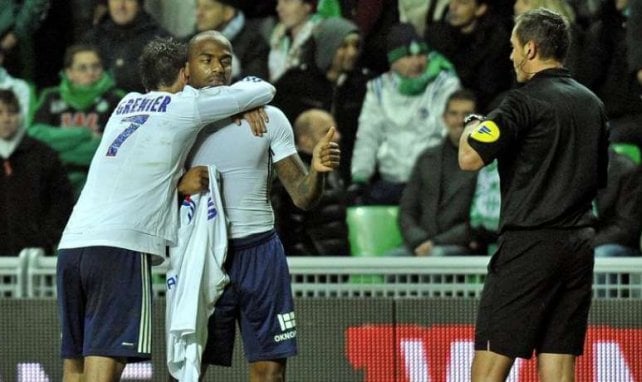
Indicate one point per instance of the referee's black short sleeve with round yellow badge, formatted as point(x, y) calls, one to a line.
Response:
point(502, 127)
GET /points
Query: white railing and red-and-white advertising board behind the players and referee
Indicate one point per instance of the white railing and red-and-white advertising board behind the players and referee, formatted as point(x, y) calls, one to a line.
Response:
point(369, 319)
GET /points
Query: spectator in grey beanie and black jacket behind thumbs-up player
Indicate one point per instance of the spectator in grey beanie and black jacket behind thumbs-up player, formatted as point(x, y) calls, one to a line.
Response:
point(331, 80)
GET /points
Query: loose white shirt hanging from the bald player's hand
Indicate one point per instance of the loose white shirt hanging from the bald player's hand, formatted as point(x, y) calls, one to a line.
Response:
point(195, 279)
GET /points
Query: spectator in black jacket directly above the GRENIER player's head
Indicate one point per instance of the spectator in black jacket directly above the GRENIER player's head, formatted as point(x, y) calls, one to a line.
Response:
point(120, 39)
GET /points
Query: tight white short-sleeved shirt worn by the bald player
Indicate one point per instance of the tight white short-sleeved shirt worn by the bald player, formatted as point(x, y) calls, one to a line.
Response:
point(245, 164)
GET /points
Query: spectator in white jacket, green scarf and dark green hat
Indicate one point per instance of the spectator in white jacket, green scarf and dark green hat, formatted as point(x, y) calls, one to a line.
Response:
point(401, 116)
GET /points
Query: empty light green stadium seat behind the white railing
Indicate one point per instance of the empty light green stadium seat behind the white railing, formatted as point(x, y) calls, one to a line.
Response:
point(373, 230)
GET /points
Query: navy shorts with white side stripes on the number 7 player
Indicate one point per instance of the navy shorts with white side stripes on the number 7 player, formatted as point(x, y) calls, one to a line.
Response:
point(104, 303)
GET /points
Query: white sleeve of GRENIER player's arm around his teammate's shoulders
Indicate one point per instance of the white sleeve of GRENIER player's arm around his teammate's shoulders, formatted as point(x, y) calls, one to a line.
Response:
point(220, 102)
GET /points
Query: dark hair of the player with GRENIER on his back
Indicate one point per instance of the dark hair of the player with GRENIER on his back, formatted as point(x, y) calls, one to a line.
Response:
point(161, 62)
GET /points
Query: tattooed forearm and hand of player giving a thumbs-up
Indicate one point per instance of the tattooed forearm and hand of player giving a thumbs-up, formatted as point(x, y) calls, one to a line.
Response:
point(306, 187)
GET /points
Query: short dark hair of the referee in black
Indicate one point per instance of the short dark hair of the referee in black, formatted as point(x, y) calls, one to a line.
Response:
point(547, 29)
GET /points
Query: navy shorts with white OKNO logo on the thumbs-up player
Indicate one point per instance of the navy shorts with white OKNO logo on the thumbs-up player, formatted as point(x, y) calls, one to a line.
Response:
point(259, 297)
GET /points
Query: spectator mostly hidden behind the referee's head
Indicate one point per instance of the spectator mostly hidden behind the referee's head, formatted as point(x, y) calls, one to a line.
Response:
point(563, 8)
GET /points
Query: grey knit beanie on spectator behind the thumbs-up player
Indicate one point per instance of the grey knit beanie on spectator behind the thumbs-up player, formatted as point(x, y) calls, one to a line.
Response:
point(328, 36)
